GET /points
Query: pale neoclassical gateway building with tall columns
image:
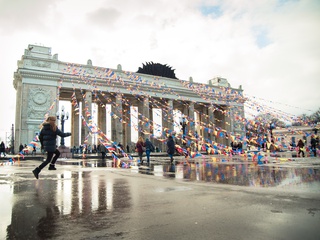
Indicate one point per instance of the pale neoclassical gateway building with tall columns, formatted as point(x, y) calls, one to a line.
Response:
point(209, 112)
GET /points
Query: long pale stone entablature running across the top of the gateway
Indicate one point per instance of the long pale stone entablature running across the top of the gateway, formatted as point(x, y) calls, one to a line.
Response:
point(151, 85)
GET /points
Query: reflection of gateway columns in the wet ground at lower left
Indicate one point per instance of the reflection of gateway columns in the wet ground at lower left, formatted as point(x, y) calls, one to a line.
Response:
point(36, 206)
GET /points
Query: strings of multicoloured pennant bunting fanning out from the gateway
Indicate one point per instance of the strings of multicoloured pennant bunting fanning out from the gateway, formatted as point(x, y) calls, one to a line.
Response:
point(212, 95)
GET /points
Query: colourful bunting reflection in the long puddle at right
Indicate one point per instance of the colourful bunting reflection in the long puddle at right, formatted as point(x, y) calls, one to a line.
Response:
point(243, 174)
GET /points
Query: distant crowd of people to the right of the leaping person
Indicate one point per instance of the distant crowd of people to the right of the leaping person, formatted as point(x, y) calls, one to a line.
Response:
point(237, 147)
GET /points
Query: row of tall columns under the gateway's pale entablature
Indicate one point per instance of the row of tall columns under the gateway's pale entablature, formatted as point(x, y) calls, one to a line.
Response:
point(202, 119)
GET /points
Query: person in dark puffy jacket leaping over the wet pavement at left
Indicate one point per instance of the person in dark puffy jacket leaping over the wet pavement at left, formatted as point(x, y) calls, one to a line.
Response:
point(48, 138)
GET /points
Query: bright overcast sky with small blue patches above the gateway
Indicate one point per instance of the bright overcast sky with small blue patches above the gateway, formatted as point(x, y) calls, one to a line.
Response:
point(270, 47)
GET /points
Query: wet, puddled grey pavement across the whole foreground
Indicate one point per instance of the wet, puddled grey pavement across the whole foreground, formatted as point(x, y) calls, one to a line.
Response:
point(200, 199)
